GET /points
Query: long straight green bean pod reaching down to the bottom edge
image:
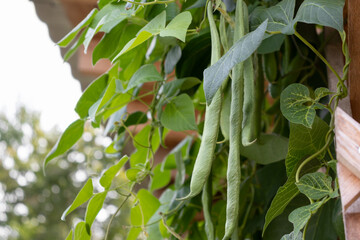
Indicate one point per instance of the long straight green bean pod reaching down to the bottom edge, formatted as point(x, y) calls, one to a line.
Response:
point(233, 170)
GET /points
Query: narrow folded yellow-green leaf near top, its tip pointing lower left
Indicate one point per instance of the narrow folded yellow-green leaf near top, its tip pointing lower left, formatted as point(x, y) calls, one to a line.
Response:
point(152, 28)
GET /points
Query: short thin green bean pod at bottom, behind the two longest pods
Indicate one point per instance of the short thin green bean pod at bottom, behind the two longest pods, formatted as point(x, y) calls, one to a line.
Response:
point(206, 199)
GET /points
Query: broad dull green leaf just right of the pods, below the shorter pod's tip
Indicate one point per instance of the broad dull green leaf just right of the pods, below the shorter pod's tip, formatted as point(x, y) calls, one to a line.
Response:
point(268, 149)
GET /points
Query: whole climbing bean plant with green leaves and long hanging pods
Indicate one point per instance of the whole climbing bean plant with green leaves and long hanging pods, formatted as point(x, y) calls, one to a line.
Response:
point(246, 83)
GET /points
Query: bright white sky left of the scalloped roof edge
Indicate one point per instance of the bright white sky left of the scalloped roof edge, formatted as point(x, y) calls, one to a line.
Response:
point(32, 71)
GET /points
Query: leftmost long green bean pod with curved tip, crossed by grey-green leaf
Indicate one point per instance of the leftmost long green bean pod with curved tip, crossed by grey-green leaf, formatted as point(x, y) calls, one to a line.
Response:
point(205, 156)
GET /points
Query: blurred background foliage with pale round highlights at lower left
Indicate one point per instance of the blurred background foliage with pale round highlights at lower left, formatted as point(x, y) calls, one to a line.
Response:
point(32, 203)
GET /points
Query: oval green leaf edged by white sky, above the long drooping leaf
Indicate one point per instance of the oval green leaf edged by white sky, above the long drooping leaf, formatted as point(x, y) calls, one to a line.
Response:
point(91, 94)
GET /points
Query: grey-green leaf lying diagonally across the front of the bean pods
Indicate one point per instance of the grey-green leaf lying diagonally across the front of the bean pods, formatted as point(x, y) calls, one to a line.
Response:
point(240, 51)
